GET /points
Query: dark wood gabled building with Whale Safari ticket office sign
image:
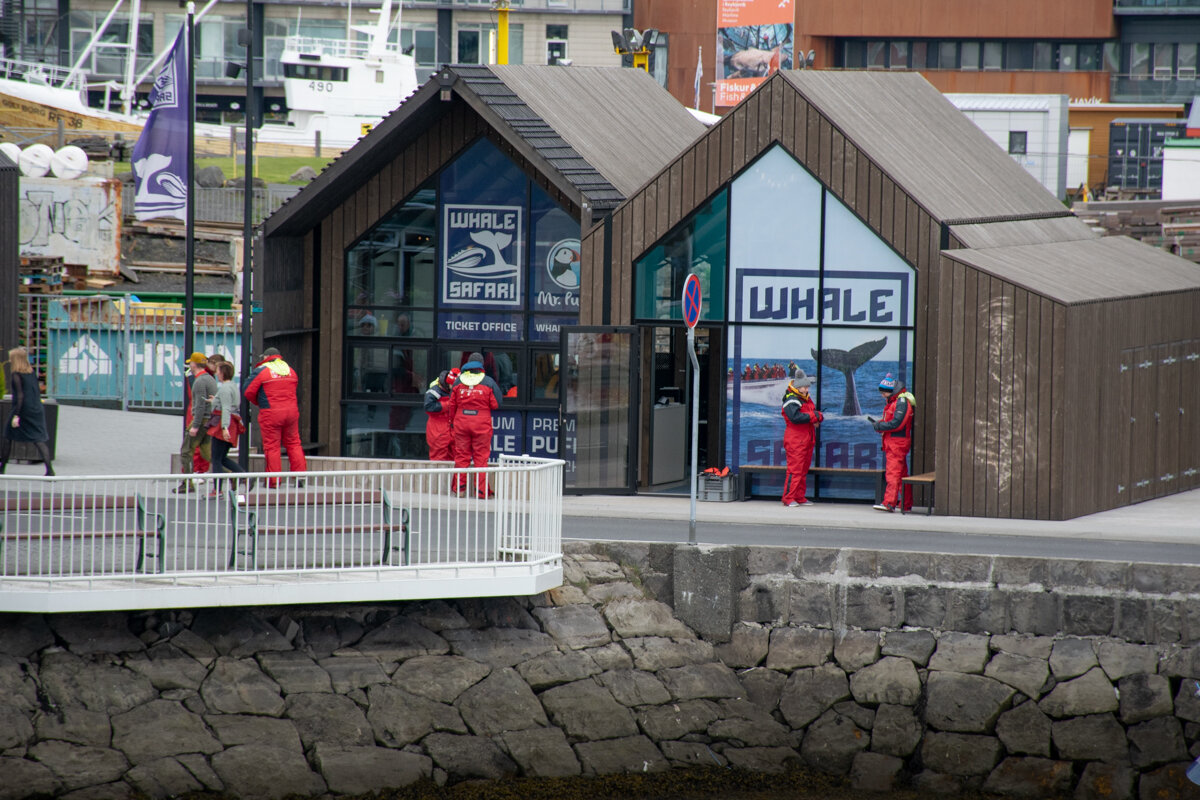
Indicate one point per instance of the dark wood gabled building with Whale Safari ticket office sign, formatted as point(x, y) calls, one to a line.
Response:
point(454, 227)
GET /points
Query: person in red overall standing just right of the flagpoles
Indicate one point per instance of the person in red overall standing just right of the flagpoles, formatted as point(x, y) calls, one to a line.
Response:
point(272, 387)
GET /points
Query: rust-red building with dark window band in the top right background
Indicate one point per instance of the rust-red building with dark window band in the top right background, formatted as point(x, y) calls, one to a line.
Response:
point(1119, 51)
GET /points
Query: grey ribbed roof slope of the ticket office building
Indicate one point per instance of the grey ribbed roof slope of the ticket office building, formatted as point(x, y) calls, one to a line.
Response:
point(621, 122)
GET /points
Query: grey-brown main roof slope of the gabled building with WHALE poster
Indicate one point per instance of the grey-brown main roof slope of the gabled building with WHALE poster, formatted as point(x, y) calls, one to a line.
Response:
point(925, 145)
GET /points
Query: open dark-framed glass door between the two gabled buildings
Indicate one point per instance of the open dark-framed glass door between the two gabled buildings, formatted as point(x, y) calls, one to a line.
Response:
point(598, 414)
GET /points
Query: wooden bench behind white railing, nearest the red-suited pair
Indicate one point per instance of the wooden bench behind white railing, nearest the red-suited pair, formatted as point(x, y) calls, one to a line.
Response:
point(245, 509)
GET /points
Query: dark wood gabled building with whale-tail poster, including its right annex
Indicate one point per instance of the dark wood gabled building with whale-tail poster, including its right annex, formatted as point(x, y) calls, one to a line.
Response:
point(857, 225)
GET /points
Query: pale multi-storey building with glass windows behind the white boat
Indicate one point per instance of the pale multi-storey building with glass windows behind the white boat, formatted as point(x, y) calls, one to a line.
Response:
point(457, 32)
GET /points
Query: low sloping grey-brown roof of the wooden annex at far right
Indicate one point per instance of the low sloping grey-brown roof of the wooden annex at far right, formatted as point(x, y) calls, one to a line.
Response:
point(1109, 268)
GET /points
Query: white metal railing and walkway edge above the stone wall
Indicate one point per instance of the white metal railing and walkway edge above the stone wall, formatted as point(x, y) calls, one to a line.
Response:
point(164, 542)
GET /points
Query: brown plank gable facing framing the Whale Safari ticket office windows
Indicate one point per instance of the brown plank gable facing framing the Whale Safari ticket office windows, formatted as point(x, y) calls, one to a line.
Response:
point(346, 222)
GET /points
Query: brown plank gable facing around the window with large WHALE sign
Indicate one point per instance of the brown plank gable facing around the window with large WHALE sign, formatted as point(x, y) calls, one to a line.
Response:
point(776, 113)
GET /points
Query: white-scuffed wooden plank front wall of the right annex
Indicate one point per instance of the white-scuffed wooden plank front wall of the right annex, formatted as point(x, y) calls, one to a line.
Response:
point(1000, 399)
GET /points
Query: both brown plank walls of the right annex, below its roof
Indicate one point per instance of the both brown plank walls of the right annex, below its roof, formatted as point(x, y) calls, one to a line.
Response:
point(1052, 412)
